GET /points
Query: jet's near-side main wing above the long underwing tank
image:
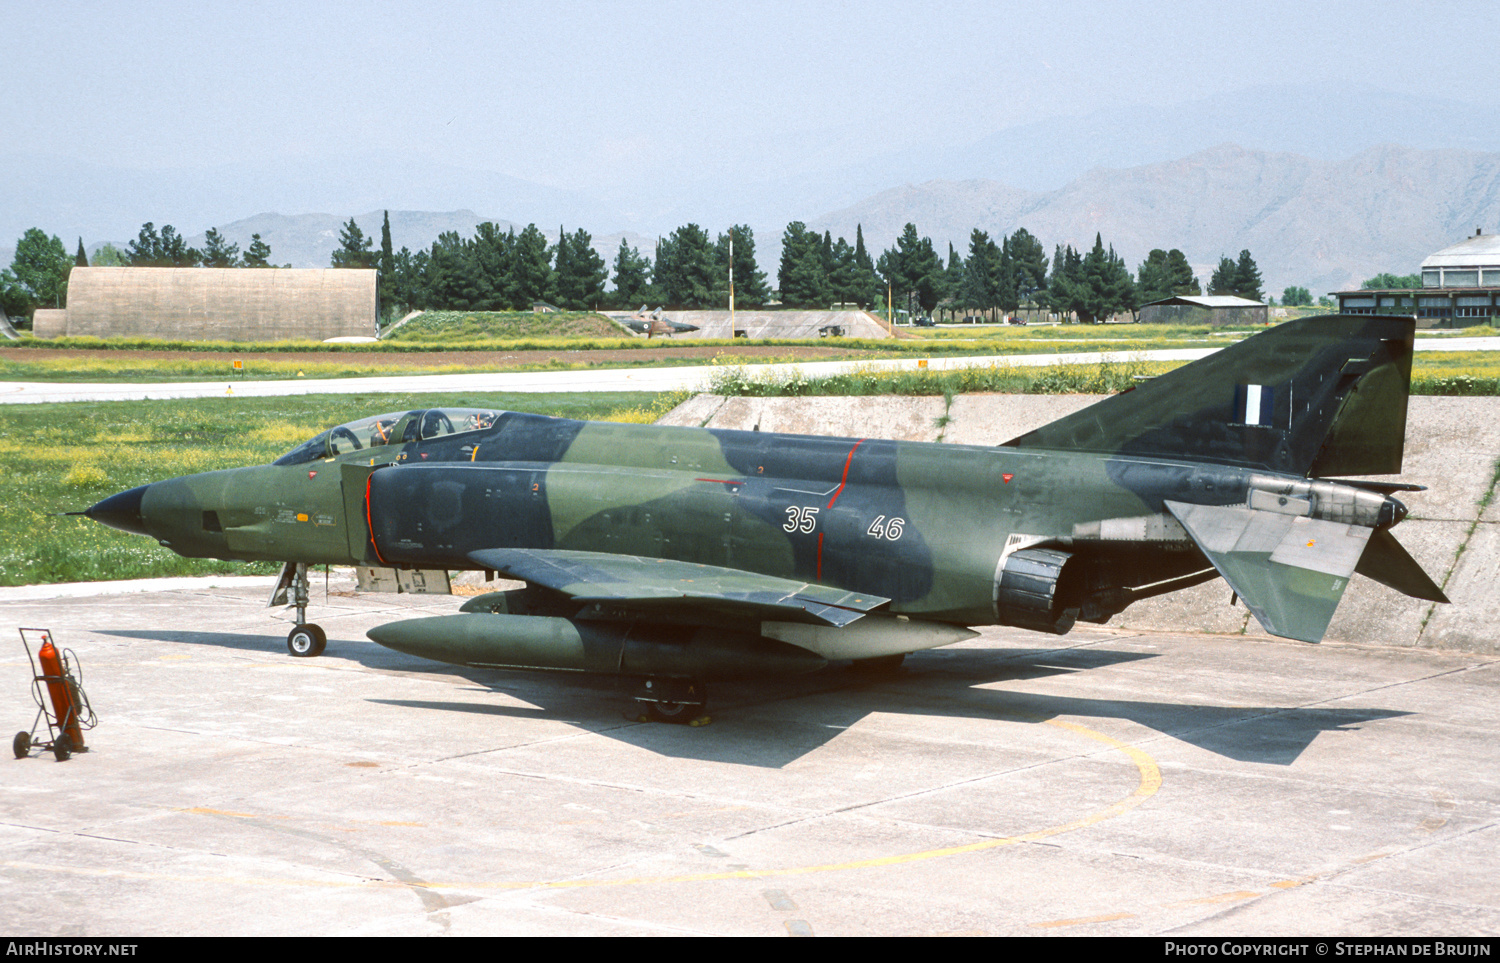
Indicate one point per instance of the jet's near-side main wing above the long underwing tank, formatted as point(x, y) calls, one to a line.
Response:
point(674, 589)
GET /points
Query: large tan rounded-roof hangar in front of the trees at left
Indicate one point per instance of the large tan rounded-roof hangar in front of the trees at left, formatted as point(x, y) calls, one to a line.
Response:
point(217, 304)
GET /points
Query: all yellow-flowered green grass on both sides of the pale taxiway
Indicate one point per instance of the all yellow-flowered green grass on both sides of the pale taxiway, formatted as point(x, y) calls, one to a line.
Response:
point(67, 457)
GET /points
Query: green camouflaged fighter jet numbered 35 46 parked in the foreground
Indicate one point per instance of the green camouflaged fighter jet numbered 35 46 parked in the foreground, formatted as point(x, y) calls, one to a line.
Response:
point(680, 557)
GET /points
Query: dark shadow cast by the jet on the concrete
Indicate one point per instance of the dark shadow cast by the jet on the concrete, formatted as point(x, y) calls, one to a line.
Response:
point(947, 683)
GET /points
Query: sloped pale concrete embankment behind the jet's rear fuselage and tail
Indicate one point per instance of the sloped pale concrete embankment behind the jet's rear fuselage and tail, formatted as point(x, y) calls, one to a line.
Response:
point(1454, 529)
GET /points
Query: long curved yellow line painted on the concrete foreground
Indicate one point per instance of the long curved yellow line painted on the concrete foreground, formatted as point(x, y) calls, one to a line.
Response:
point(1150, 782)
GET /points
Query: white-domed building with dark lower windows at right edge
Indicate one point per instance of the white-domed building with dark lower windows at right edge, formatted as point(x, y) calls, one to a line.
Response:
point(1460, 289)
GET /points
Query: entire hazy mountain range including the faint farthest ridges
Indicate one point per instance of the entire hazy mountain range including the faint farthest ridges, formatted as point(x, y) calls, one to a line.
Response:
point(1295, 173)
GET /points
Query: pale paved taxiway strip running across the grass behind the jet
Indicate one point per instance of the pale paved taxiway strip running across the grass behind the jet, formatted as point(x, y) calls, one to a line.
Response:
point(692, 379)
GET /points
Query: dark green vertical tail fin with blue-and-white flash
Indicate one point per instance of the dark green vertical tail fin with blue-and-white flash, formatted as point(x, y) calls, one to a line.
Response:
point(1318, 397)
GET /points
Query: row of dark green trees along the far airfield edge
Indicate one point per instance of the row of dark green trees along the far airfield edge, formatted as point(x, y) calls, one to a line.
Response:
point(506, 269)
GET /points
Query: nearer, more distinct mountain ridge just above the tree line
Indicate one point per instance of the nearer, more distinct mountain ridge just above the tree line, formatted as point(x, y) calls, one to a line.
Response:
point(1321, 224)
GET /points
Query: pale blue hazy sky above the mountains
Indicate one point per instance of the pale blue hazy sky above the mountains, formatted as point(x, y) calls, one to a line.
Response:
point(620, 100)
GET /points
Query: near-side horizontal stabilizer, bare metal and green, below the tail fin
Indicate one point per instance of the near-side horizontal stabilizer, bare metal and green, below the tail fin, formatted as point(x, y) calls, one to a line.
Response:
point(1291, 571)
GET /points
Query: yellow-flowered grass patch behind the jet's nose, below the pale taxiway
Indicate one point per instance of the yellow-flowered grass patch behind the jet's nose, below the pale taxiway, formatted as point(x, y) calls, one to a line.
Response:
point(64, 458)
